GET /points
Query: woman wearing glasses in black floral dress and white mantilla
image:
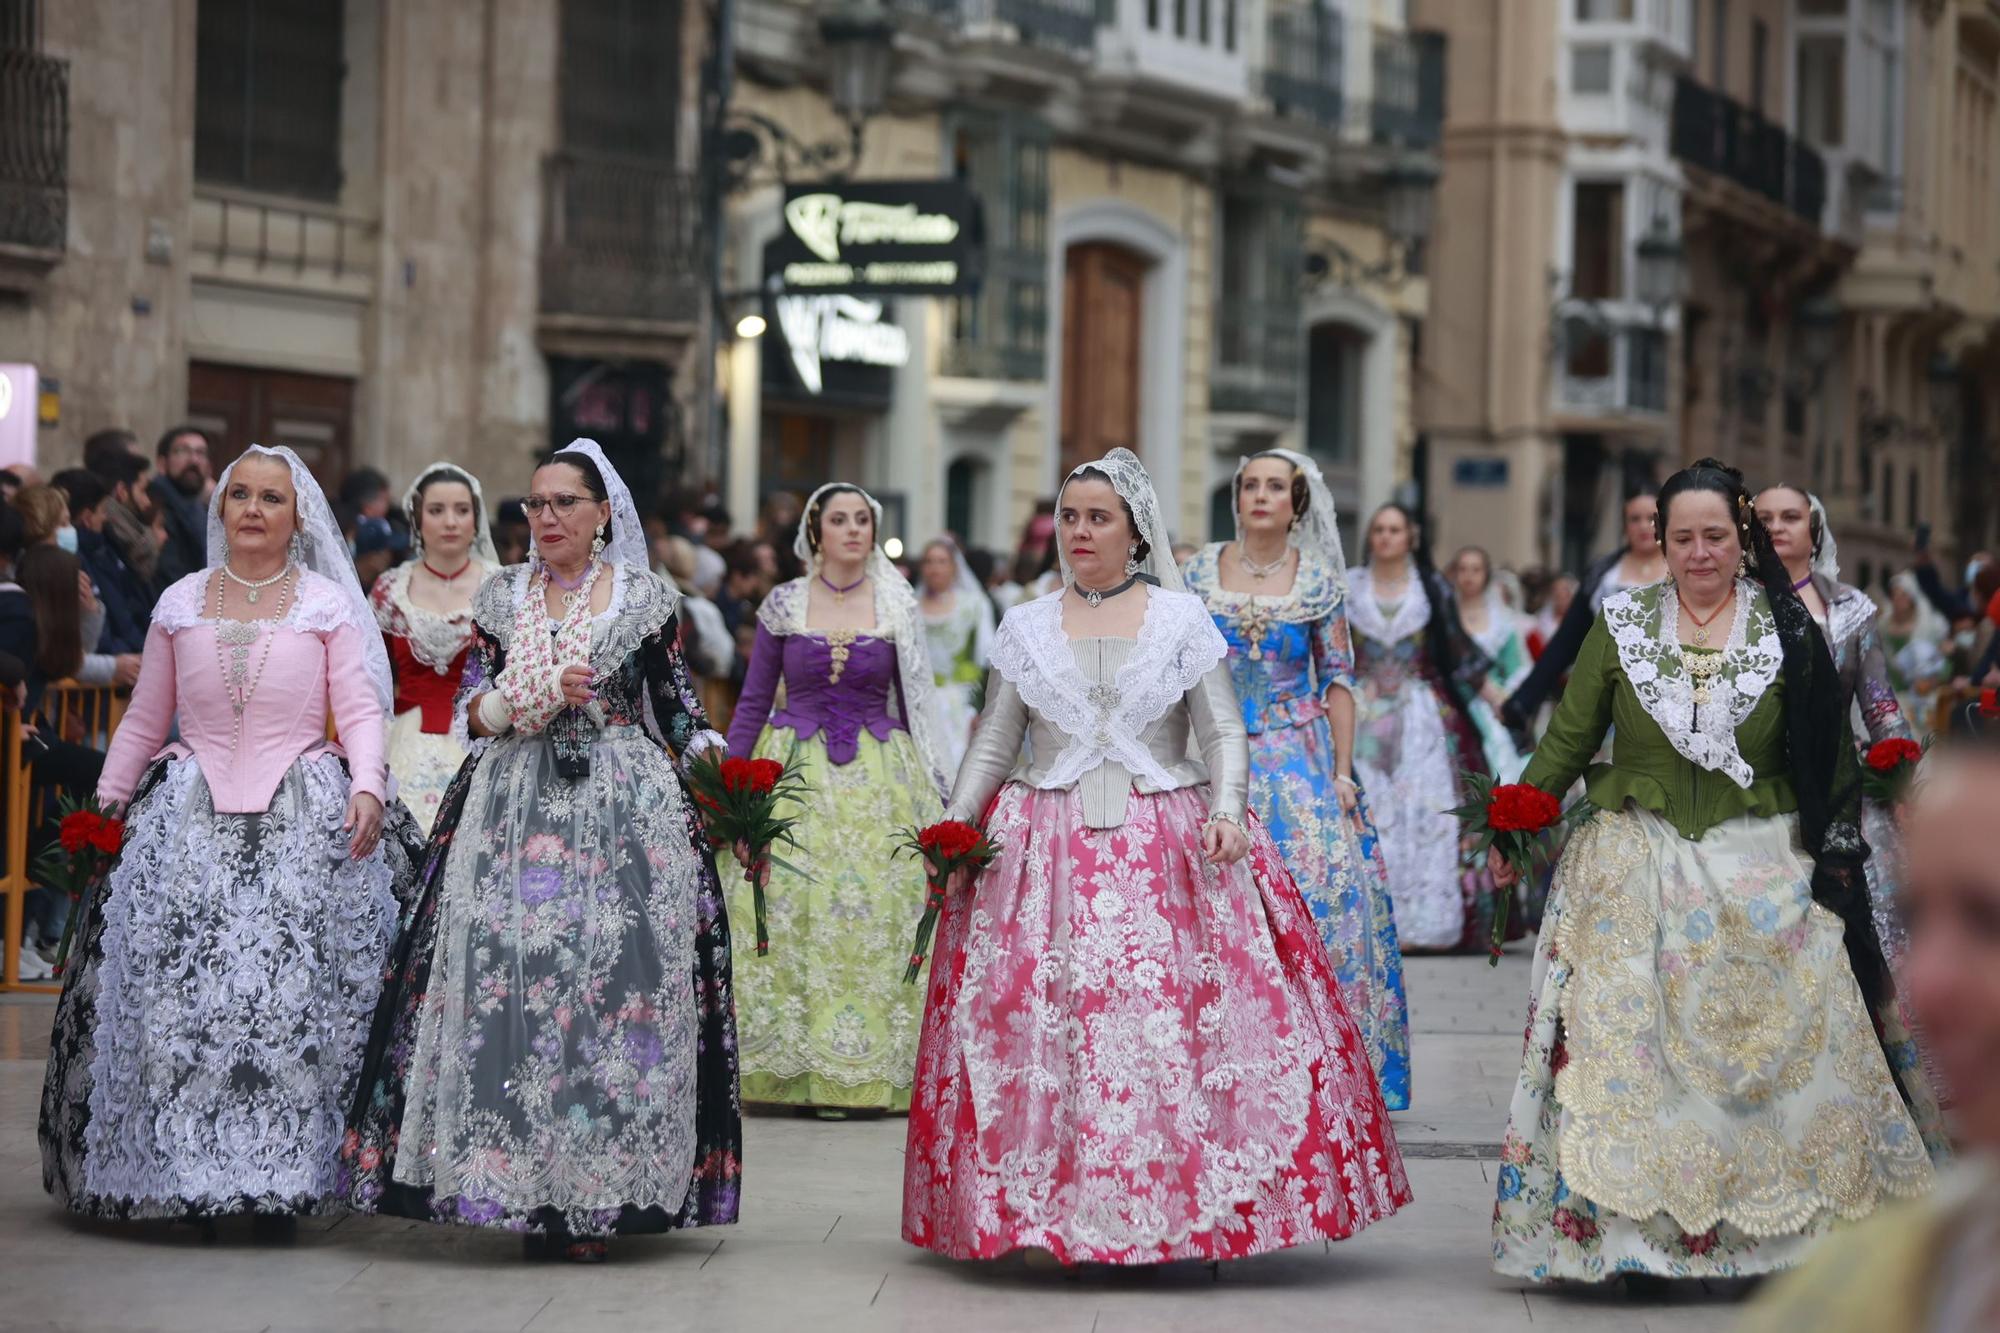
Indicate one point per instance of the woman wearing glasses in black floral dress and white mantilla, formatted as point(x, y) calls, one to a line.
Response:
point(555, 1050)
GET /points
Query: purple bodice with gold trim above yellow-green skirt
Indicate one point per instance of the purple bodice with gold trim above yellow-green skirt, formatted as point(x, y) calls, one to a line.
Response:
point(831, 688)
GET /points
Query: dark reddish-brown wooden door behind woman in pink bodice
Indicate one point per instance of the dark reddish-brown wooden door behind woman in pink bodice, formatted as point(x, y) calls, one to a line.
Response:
point(313, 415)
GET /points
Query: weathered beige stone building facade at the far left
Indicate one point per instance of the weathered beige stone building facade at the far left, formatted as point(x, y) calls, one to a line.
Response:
point(375, 231)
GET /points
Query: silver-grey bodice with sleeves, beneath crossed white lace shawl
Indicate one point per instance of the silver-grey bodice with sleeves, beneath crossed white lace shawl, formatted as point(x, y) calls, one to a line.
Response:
point(1207, 714)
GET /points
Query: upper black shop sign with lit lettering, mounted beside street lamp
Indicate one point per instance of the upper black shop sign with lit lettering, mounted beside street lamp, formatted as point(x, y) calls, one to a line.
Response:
point(881, 239)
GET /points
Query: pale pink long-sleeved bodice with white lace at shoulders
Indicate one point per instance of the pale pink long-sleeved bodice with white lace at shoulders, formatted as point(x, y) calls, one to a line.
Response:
point(315, 665)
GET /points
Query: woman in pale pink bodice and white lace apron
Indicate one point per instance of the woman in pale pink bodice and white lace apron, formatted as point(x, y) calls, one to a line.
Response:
point(215, 1012)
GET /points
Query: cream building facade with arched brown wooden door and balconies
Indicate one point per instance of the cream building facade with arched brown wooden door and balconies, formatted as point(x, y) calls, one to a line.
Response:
point(1187, 251)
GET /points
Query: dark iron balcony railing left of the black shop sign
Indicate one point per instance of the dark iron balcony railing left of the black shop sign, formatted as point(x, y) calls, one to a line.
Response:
point(621, 239)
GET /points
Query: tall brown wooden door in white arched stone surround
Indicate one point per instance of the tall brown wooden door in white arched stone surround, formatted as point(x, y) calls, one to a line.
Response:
point(1103, 311)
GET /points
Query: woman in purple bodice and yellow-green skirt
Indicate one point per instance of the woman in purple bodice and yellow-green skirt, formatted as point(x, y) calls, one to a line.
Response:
point(825, 1018)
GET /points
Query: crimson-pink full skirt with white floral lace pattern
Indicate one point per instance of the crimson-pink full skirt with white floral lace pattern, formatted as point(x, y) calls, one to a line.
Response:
point(1131, 1056)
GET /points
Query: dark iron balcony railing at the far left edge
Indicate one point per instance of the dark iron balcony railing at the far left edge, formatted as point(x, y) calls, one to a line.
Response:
point(35, 151)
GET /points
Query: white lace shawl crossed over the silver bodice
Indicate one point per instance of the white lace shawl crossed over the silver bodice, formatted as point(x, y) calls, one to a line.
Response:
point(1177, 645)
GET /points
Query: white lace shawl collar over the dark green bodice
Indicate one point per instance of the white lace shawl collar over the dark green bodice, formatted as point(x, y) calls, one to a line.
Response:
point(1645, 623)
